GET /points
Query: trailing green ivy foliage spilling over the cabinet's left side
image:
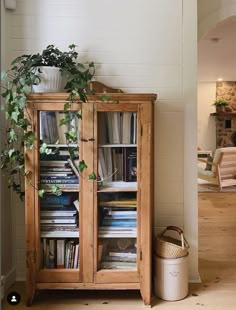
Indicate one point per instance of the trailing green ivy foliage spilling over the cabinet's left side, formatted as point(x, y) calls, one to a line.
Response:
point(26, 72)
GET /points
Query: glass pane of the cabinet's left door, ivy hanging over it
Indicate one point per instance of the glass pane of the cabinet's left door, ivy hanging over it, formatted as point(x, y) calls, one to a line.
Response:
point(59, 212)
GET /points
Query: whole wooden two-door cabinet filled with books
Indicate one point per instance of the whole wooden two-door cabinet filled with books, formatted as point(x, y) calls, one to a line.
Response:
point(97, 234)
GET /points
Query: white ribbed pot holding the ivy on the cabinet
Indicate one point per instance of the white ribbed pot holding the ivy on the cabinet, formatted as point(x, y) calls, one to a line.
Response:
point(51, 80)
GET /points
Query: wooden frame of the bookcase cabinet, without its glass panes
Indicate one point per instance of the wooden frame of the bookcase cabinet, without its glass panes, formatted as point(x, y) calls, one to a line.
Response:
point(87, 276)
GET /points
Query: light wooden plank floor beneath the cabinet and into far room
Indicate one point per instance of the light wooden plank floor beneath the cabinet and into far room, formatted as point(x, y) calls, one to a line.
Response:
point(217, 263)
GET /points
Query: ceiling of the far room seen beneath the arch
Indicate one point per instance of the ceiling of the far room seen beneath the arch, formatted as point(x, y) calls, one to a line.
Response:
point(217, 53)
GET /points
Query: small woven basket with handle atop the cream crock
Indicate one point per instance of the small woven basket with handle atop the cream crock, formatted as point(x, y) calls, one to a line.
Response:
point(168, 247)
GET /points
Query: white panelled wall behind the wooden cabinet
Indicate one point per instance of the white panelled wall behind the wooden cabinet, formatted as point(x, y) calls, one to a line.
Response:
point(137, 46)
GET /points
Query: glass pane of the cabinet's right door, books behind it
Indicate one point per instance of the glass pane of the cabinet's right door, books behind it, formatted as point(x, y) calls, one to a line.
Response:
point(117, 209)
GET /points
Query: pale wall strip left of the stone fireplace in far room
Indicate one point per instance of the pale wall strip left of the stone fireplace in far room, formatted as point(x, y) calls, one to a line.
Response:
point(206, 123)
